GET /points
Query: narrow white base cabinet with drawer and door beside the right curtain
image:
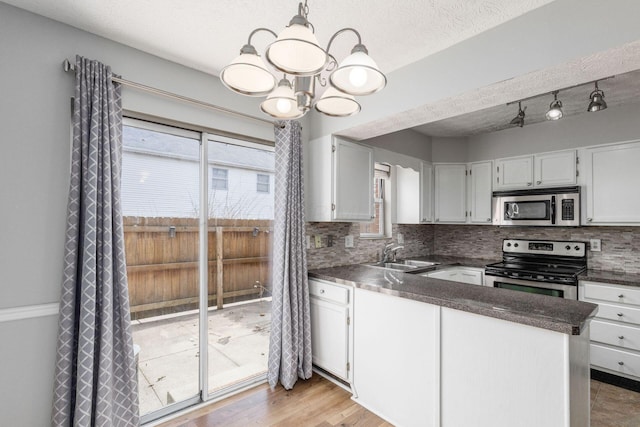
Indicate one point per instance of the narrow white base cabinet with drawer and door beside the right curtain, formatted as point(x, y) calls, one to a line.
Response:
point(331, 335)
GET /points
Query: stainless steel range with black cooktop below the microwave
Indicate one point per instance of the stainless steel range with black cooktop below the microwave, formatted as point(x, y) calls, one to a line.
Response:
point(544, 267)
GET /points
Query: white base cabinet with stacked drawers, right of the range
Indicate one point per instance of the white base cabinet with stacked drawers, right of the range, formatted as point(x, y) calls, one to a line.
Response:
point(615, 332)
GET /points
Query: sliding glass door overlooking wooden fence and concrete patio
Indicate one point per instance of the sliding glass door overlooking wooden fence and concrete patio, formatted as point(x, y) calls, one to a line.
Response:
point(199, 279)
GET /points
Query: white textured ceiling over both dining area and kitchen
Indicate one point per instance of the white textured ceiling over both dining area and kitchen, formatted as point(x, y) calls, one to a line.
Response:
point(207, 34)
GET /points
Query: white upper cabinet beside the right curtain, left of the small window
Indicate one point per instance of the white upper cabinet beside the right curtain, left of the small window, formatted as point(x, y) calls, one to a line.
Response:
point(338, 180)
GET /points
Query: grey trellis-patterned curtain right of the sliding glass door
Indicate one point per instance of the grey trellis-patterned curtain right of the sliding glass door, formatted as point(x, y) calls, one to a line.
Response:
point(290, 343)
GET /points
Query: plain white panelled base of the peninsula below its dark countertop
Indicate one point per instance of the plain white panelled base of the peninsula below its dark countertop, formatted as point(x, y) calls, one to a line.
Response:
point(418, 364)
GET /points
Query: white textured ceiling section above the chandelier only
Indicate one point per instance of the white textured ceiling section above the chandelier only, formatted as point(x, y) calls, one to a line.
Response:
point(207, 34)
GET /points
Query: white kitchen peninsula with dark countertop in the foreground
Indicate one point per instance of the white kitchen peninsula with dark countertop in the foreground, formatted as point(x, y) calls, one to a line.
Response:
point(430, 352)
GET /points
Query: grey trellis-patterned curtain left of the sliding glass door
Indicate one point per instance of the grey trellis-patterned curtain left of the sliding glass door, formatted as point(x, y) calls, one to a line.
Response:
point(95, 380)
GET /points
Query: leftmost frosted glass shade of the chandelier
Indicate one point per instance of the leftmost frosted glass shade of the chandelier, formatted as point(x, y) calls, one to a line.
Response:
point(248, 74)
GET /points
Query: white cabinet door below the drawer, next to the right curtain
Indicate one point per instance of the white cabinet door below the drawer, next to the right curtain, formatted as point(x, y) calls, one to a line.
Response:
point(330, 336)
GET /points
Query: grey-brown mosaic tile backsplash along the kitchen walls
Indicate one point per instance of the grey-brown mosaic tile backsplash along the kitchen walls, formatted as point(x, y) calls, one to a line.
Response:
point(620, 245)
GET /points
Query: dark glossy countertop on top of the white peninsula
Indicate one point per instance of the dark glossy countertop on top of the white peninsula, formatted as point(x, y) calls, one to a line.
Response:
point(552, 313)
